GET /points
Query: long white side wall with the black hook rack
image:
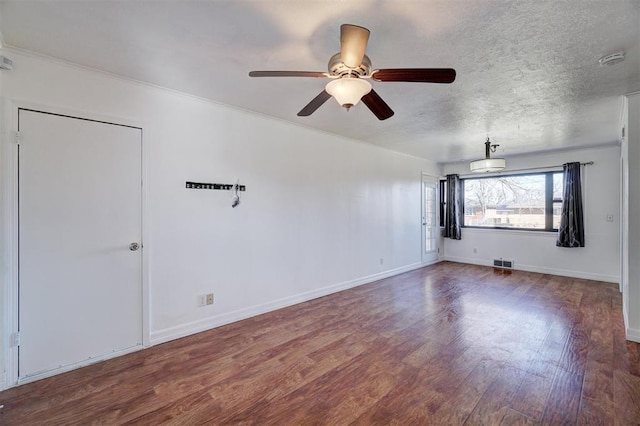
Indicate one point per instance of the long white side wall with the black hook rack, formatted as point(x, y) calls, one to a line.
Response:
point(319, 213)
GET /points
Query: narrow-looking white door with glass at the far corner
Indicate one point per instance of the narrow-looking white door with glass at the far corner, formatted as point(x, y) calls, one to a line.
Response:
point(429, 219)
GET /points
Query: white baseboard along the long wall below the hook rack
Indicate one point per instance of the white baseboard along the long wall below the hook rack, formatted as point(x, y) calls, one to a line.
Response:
point(182, 330)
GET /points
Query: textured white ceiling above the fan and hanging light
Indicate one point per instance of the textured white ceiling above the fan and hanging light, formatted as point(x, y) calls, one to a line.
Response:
point(527, 71)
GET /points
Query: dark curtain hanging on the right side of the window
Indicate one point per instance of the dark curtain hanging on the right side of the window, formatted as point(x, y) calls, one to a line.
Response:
point(571, 232)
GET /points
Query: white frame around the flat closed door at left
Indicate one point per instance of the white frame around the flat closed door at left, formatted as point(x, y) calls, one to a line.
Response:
point(10, 218)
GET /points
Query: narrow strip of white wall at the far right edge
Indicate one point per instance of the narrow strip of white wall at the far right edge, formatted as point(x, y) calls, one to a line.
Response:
point(630, 213)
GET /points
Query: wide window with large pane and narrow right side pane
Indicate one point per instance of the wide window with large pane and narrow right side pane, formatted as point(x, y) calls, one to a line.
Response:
point(527, 201)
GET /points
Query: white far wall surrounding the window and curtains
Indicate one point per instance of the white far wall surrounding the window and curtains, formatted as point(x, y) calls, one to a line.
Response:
point(536, 251)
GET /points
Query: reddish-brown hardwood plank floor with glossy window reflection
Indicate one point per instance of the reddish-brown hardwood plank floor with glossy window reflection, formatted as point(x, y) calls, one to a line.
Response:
point(446, 344)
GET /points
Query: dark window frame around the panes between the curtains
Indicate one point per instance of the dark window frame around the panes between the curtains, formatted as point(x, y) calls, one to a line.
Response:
point(549, 200)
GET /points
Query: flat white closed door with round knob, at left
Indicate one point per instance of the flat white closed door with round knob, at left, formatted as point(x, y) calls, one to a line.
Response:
point(80, 200)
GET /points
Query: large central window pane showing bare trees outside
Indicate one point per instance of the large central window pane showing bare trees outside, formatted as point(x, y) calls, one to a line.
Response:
point(506, 202)
